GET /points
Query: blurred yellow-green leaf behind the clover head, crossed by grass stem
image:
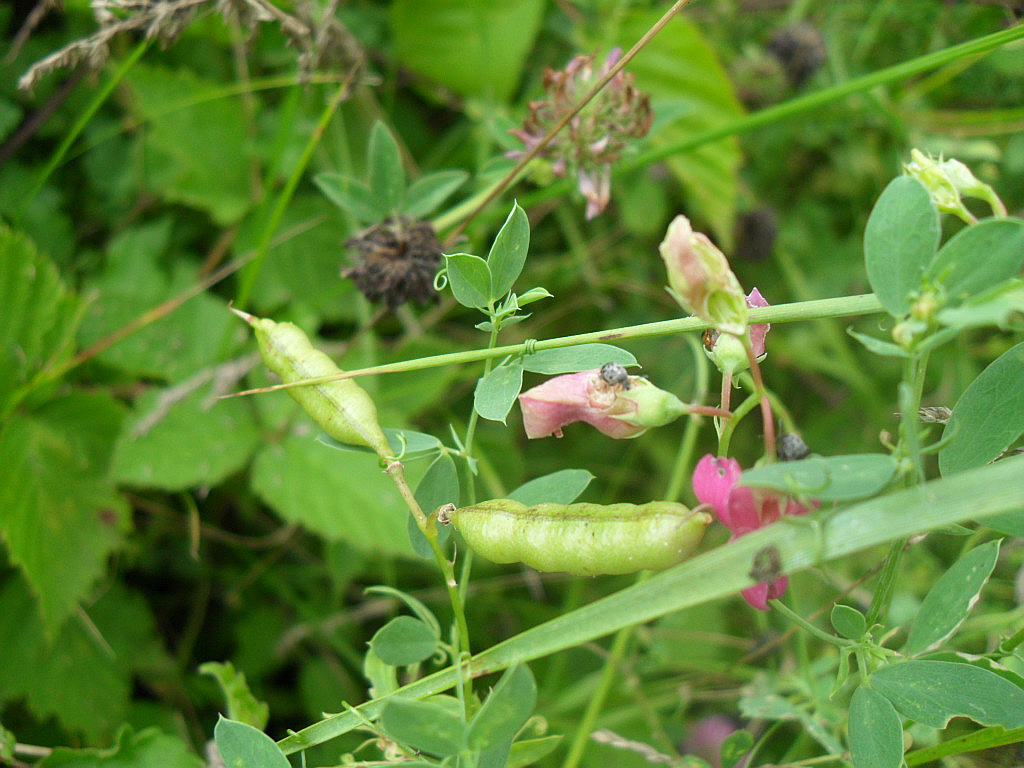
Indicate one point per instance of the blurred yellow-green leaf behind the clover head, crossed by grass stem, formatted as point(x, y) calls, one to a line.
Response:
point(681, 71)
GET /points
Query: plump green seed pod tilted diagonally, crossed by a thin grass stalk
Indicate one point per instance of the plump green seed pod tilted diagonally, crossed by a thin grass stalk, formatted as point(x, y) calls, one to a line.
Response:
point(343, 408)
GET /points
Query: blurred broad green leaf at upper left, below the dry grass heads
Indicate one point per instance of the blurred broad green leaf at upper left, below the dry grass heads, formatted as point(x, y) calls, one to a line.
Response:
point(199, 150)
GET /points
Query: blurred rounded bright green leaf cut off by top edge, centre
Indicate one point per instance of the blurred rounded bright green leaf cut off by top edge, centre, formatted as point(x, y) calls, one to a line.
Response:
point(475, 48)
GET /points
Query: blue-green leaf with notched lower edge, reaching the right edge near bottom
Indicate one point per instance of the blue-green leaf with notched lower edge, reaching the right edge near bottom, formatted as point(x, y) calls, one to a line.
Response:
point(934, 693)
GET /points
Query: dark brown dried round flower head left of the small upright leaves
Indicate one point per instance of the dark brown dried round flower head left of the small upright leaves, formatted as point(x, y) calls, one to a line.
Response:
point(397, 262)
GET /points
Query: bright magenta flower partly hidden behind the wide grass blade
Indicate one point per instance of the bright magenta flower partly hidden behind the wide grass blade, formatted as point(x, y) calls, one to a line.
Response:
point(744, 510)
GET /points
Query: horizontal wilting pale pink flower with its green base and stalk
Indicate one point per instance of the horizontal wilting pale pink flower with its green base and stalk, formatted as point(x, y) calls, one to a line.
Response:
point(618, 409)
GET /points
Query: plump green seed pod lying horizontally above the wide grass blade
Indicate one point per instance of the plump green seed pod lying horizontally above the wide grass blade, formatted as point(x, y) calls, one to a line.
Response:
point(581, 539)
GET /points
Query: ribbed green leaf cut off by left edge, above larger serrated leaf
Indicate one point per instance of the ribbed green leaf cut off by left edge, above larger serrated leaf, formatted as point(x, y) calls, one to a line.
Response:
point(32, 298)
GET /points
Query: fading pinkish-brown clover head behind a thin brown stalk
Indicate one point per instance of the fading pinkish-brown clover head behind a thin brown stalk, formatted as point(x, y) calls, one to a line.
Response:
point(596, 137)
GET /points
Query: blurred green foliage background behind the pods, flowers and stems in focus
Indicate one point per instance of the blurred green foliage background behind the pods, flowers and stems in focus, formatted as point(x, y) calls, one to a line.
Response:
point(150, 527)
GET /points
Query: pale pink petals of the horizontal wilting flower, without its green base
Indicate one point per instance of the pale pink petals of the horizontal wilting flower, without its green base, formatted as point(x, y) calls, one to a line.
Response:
point(565, 400)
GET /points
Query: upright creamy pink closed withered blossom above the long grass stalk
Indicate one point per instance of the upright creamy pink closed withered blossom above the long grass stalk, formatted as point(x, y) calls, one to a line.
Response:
point(701, 278)
